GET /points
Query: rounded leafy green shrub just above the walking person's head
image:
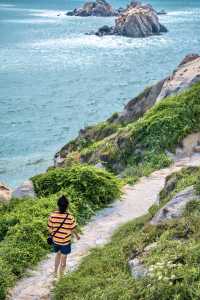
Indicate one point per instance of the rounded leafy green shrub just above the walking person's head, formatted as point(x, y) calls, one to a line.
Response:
point(96, 185)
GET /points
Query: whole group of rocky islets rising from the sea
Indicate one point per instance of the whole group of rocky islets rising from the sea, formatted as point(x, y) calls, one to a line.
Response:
point(136, 20)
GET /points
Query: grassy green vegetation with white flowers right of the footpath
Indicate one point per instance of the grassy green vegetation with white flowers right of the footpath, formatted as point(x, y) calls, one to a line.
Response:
point(174, 272)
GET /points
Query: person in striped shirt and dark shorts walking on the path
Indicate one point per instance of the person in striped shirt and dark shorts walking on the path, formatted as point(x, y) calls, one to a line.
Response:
point(62, 225)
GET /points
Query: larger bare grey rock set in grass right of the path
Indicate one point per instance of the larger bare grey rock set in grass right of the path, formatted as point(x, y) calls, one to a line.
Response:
point(174, 208)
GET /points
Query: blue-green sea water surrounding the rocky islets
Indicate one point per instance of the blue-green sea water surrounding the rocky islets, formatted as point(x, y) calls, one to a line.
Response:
point(54, 79)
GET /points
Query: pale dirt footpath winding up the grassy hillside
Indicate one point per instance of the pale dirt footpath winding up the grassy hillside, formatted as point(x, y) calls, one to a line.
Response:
point(135, 202)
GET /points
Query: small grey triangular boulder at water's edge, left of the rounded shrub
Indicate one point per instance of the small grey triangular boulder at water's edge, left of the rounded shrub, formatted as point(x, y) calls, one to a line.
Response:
point(26, 190)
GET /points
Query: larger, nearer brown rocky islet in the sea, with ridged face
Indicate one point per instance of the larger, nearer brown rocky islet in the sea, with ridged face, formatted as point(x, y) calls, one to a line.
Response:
point(136, 21)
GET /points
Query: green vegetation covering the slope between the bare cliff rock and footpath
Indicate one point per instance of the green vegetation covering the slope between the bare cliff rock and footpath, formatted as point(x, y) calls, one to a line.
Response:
point(140, 147)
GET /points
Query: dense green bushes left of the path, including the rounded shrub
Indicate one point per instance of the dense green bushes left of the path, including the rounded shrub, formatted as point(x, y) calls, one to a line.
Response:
point(23, 223)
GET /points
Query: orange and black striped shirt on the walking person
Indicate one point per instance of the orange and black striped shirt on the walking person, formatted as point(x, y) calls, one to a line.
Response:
point(63, 235)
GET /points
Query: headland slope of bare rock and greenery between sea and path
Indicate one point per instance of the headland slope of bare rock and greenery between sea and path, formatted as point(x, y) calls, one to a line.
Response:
point(146, 128)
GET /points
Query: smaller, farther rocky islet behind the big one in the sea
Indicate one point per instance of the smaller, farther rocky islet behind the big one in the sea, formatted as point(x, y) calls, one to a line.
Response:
point(98, 8)
